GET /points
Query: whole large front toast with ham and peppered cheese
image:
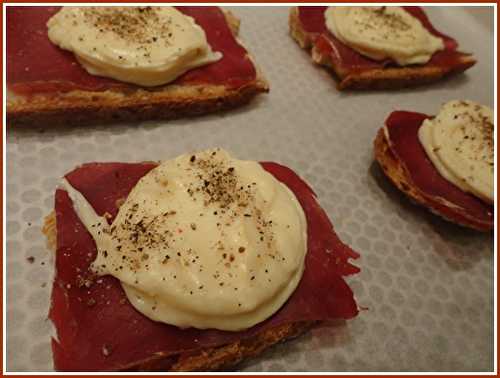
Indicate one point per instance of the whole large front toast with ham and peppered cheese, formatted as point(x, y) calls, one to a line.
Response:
point(194, 263)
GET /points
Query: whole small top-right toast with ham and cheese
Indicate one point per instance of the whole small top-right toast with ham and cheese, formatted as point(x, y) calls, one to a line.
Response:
point(377, 47)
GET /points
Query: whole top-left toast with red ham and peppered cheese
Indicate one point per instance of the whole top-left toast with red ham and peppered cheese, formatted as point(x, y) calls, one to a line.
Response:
point(95, 64)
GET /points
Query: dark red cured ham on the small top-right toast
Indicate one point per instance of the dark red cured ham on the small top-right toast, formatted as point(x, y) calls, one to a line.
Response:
point(348, 60)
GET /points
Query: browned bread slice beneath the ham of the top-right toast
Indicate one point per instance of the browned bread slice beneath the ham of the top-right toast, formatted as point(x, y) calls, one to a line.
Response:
point(375, 78)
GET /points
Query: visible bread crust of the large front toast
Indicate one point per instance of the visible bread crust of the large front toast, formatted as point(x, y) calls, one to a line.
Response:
point(206, 359)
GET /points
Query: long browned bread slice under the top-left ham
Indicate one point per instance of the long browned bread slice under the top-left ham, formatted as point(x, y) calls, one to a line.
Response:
point(138, 104)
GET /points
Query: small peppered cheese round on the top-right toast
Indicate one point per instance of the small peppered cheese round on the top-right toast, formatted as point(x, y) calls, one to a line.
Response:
point(383, 32)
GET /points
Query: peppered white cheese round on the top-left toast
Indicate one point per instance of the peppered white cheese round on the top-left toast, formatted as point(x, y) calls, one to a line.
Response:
point(147, 46)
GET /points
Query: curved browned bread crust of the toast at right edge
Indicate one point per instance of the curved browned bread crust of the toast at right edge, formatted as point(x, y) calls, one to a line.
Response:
point(398, 175)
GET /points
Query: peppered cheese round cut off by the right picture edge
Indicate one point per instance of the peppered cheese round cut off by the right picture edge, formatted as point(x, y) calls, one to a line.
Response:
point(459, 142)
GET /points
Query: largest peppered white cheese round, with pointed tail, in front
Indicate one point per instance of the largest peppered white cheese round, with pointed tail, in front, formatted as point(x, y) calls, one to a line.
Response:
point(204, 240)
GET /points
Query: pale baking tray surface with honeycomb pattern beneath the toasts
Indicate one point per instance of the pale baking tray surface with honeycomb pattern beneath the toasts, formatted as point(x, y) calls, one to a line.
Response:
point(427, 285)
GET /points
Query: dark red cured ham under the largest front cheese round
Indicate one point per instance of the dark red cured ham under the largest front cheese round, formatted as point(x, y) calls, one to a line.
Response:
point(98, 330)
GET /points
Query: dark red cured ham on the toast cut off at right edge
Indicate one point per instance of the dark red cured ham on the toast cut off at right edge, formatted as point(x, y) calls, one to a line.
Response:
point(446, 198)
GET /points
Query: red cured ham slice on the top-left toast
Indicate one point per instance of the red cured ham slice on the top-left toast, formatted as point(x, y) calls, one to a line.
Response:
point(36, 65)
